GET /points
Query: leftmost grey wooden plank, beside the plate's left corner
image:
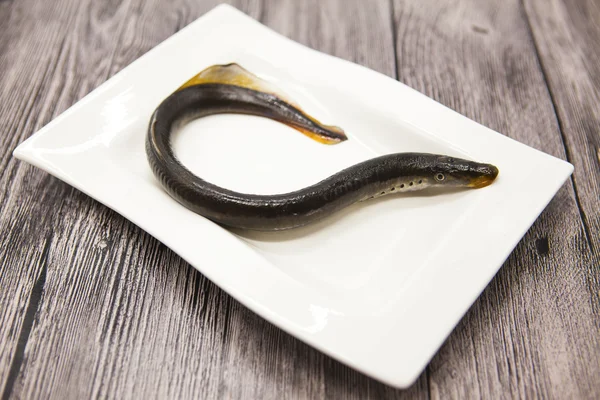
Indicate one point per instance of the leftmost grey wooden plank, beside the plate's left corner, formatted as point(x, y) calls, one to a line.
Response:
point(29, 200)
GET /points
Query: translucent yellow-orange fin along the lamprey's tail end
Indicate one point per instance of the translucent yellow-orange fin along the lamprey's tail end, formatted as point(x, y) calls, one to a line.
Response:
point(234, 74)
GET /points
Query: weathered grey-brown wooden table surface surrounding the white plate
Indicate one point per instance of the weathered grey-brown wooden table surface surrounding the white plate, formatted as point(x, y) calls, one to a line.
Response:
point(92, 306)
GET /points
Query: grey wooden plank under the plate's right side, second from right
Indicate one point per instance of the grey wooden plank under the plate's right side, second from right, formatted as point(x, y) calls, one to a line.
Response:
point(532, 332)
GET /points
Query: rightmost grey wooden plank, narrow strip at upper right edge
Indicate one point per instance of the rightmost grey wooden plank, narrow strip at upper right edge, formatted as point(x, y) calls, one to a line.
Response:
point(566, 35)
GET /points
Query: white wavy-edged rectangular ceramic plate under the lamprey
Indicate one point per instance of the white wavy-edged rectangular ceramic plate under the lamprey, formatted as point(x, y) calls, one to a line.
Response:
point(379, 286)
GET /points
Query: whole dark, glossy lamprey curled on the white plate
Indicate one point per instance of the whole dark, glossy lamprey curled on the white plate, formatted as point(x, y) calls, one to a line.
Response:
point(231, 89)
